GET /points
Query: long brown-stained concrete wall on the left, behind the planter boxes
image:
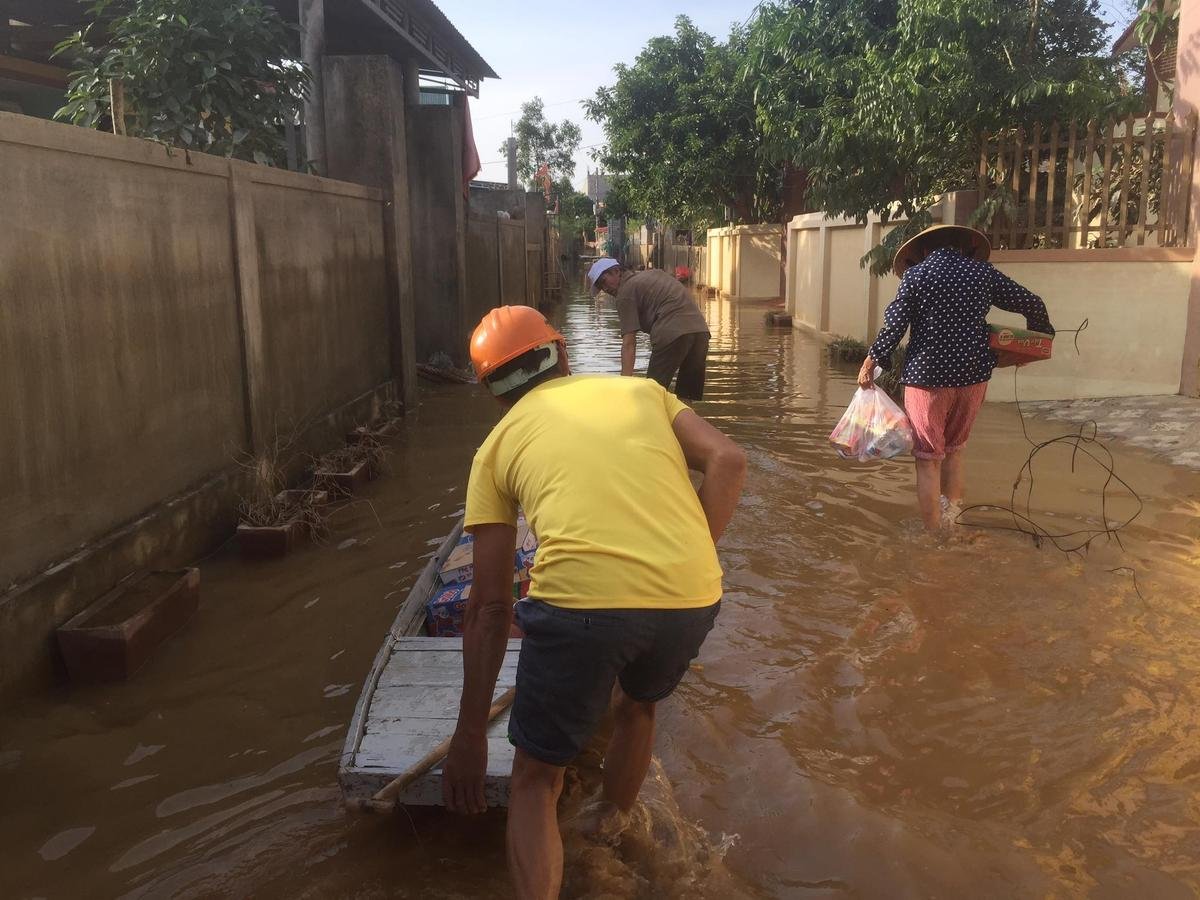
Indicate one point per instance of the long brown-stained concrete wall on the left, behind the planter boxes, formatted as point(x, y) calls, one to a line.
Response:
point(163, 316)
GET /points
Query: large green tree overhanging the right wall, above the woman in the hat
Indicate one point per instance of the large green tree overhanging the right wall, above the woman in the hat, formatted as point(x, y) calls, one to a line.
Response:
point(883, 103)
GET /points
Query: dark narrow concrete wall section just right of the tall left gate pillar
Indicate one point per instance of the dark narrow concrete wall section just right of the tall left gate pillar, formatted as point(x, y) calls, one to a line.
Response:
point(440, 229)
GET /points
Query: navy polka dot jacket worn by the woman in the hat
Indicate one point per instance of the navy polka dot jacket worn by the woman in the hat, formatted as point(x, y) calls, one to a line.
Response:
point(945, 301)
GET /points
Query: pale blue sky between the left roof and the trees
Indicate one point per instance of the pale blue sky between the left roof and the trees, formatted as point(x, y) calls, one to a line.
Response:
point(563, 55)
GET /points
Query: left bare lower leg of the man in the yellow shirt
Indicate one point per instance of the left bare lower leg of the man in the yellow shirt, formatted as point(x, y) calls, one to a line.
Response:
point(535, 845)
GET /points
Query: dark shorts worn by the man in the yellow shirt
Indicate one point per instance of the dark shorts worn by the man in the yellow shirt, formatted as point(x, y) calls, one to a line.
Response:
point(571, 659)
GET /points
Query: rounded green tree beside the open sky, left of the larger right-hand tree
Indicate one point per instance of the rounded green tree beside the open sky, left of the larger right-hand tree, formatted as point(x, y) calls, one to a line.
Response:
point(681, 130)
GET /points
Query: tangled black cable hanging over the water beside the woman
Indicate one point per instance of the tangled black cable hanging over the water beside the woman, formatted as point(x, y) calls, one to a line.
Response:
point(1083, 441)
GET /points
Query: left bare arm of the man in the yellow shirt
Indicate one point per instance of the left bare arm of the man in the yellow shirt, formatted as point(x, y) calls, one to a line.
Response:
point(484, 645)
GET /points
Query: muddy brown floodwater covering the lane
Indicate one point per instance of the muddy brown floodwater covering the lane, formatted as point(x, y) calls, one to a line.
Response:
point(877, 715)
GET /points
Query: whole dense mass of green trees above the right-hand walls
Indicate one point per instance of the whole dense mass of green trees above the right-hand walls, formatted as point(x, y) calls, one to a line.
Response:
point(872, 106)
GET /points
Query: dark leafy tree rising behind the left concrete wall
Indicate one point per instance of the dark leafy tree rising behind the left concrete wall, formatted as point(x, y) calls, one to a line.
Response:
point(217, 76)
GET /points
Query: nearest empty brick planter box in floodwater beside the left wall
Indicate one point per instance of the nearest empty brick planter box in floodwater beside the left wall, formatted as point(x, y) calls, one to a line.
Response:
point(113, 638)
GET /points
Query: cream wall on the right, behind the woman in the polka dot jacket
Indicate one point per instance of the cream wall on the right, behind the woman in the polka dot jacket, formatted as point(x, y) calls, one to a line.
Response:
point(1136, 302)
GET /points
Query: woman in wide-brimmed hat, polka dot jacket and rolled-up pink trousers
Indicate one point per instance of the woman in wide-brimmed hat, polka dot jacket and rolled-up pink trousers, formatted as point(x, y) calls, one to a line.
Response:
point(946, 290)
